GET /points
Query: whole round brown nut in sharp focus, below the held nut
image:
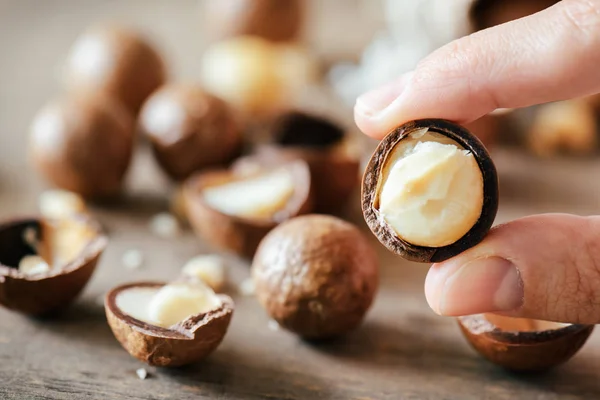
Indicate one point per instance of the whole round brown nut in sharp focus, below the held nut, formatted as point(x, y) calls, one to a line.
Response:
point(316, 275)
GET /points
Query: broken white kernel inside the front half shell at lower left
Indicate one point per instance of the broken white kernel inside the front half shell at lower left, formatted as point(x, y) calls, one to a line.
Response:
point(168, 305)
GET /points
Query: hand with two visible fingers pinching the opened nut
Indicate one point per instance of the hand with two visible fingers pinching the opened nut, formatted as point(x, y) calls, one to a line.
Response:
point(546, 266)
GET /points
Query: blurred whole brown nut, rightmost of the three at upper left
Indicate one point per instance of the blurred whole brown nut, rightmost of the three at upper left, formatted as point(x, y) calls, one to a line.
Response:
point(189, 129)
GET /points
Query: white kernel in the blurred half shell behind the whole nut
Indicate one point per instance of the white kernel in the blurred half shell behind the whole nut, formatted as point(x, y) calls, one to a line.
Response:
point(258, 197)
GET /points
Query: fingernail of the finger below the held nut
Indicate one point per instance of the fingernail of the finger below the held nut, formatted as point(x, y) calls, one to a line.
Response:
point(482, 285)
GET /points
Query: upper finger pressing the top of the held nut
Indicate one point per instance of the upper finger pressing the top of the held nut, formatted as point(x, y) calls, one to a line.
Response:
point(549, 56)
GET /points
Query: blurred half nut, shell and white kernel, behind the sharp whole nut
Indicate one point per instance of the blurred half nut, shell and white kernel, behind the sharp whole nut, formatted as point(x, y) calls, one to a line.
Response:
point(234, 210)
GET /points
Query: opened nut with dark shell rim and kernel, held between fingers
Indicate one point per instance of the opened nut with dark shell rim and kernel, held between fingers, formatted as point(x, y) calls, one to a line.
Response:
point(430, 191)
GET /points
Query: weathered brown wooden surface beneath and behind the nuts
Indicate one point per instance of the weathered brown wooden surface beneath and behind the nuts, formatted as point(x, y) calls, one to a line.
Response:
point(403, 350)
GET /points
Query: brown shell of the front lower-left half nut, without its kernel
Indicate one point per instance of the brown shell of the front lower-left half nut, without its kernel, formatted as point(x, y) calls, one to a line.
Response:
point(187, 342)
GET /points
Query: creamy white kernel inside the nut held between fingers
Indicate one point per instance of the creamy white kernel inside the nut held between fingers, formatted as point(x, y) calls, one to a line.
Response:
point(431, 190)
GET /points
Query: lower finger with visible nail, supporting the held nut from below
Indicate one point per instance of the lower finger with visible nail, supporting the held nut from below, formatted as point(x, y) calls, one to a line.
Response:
point(543, 267)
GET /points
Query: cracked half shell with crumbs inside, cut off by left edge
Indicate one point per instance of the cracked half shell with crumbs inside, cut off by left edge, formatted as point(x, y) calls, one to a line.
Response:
point(64, 254)
